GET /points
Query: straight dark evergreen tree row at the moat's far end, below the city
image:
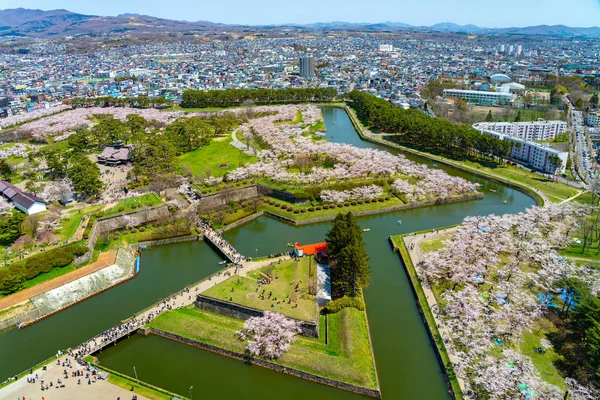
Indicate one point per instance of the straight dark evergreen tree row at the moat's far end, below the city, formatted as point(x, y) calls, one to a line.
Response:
point(236, 97)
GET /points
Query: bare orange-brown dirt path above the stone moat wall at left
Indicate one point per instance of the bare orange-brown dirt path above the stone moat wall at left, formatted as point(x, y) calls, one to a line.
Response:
point(105, 259)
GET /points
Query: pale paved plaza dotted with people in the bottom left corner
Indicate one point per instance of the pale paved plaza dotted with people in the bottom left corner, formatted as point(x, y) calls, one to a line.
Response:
point(99, 390)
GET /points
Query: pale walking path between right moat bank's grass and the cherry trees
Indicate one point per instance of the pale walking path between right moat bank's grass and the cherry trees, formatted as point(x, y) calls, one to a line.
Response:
point(413, 244)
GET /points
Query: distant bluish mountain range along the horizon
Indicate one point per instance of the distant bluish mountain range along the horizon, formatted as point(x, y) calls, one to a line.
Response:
point(61, 23)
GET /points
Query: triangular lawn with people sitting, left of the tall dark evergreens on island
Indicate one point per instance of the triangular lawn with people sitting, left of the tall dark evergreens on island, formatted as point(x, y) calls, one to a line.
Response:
point(284, 299)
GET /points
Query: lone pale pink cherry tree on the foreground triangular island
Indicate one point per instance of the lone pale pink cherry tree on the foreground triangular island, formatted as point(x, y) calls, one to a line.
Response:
point(269, 336)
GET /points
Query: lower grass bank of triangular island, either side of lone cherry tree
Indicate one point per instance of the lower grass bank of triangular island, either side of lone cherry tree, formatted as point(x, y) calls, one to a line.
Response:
point(346, 357)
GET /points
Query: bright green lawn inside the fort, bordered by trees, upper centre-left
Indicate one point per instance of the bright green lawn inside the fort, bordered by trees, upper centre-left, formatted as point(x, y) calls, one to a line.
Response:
point(212, 156)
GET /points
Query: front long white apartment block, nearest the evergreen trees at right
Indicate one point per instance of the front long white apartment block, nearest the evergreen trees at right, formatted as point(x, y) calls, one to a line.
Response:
point(531, 153)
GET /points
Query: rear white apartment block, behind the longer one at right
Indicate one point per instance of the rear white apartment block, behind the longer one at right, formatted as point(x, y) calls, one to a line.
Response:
point(535, 130)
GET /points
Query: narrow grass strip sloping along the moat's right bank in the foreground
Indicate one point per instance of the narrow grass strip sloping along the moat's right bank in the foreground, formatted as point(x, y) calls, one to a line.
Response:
point(427, 314)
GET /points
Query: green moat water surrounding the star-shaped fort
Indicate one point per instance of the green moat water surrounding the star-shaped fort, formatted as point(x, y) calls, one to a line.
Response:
point(405, 358)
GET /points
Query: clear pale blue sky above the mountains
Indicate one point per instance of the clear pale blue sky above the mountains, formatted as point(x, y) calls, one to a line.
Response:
point(491, 14)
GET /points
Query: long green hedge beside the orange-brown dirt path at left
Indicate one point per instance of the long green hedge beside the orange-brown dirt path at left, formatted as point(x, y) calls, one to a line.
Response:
point(12, 278)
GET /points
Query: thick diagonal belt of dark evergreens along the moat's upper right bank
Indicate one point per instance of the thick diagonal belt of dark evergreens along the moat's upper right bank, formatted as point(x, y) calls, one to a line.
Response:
point(419, 129)
